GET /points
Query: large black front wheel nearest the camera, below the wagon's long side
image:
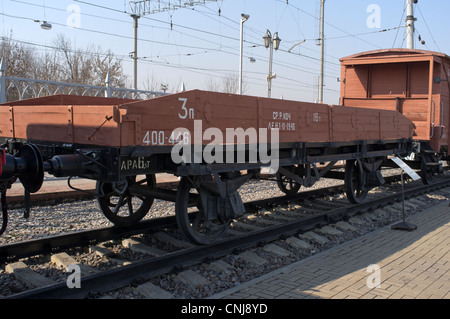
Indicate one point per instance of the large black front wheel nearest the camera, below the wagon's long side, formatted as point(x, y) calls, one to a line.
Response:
point(200, 227)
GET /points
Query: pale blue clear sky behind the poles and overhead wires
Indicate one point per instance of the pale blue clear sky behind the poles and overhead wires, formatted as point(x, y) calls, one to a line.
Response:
point(198, 45)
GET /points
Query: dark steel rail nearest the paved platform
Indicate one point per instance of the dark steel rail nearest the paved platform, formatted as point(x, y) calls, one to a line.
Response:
point(118, 277)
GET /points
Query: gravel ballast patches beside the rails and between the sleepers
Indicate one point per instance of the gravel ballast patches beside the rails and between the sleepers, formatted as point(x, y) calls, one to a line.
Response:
point(83, 215)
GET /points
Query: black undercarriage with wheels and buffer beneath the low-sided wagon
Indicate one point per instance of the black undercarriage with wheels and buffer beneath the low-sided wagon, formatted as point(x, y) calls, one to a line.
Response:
point(207, 198)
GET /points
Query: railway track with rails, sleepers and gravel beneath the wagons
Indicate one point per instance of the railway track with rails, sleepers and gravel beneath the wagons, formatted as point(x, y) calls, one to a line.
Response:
point(281, 229)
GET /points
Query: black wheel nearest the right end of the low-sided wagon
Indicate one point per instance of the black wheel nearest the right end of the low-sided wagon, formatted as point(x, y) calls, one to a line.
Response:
point(356, 191)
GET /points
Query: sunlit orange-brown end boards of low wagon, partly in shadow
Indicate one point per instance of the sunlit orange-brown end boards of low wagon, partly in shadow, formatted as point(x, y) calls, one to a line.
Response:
point(63, 119)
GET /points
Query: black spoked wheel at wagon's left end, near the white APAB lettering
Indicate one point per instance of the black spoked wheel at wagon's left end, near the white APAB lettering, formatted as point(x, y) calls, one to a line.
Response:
point(121, 207)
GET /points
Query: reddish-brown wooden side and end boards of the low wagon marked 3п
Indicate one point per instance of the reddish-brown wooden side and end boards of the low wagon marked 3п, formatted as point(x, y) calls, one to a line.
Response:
point(120, 123)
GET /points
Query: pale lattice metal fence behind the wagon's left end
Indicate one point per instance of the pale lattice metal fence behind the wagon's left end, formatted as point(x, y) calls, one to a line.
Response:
point(16, 88)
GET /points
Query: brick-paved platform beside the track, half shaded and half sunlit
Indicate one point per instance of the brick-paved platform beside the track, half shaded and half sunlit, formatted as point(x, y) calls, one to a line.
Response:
point(385, 264)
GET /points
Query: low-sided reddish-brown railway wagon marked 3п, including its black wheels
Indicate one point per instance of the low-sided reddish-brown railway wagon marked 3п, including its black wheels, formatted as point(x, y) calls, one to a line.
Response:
point(214, 142)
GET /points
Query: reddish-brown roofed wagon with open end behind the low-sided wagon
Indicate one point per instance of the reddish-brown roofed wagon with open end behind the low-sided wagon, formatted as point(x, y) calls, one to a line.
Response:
point(412, 82)
